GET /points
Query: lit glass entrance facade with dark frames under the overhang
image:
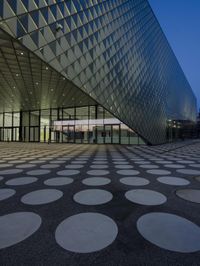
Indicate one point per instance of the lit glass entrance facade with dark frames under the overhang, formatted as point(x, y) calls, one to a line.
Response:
point(88, 124)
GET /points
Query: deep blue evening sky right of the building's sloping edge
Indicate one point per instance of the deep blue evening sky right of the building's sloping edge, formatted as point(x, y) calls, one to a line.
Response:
point(180, 21)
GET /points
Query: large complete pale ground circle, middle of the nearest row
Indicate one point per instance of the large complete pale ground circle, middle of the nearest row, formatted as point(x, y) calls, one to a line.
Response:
point(86, 232)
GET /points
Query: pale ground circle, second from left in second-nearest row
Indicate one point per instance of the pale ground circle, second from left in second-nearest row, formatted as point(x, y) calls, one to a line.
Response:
point(42, 196)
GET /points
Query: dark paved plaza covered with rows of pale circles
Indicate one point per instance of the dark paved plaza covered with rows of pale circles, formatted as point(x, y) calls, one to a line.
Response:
point(88, 205)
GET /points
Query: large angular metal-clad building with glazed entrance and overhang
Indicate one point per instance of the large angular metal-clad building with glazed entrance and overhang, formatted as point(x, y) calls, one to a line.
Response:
point(92, 71)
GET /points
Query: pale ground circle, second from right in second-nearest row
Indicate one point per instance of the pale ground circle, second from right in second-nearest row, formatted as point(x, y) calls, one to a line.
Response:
point(145, 197)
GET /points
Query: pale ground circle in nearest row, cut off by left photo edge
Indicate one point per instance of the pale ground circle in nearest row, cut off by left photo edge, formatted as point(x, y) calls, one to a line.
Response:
point(16, 227)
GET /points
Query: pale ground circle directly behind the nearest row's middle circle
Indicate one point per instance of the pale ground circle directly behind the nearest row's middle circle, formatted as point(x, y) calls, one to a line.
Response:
point(93, 197)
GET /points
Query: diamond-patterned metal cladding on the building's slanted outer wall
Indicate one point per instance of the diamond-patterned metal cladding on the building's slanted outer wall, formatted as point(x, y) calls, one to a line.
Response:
point(114, 50)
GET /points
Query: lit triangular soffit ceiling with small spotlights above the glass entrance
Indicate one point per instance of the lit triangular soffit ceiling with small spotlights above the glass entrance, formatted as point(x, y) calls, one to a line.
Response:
point(27, 83)
